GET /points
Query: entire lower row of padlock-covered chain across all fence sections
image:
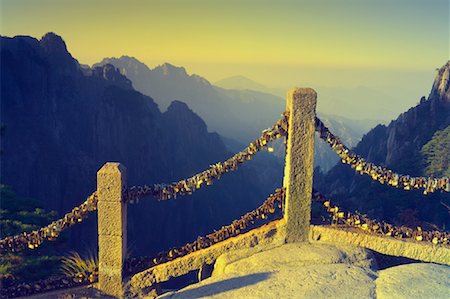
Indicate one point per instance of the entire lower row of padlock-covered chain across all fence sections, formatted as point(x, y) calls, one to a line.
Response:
point(272, 204)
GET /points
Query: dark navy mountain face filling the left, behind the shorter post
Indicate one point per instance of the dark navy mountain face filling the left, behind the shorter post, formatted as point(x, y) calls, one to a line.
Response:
point(64, 121)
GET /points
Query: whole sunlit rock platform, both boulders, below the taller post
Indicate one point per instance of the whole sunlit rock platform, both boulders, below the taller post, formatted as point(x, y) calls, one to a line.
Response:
point(312, 270)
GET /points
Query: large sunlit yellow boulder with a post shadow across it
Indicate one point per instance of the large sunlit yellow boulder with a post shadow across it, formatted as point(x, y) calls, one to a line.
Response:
point(299, 270)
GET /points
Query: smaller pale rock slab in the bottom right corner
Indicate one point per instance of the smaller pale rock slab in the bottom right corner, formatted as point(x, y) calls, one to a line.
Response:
point(417, 280)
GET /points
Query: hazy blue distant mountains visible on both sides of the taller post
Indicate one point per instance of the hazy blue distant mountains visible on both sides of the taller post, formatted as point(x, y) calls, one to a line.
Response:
point(235, 114)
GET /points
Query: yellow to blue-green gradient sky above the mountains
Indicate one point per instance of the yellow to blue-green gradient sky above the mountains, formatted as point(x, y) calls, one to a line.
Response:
point(348, 42)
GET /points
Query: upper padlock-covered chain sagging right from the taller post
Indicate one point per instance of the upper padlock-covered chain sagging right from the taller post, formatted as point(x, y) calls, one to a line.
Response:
point(378, 173)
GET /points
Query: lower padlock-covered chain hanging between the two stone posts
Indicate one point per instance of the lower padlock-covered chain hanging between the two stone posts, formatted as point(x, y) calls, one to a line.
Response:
point(270, 205)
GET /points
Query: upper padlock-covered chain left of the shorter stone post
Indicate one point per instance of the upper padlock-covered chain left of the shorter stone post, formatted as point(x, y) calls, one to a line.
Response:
point(50, 232)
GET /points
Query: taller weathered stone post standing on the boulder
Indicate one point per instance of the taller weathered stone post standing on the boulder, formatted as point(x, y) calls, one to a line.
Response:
point(299, 166)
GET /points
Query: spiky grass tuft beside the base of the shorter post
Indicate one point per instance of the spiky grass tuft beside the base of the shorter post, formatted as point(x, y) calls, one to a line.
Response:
point(80, 268)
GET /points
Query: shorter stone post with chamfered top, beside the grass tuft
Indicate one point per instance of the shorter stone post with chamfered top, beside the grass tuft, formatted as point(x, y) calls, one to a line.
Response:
point(112, 228)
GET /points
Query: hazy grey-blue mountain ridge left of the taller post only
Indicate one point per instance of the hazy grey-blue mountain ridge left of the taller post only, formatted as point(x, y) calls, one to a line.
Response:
point(229, 113)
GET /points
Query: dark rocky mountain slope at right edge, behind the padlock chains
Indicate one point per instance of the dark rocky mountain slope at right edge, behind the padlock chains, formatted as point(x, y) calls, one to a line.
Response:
point(397, 147)
